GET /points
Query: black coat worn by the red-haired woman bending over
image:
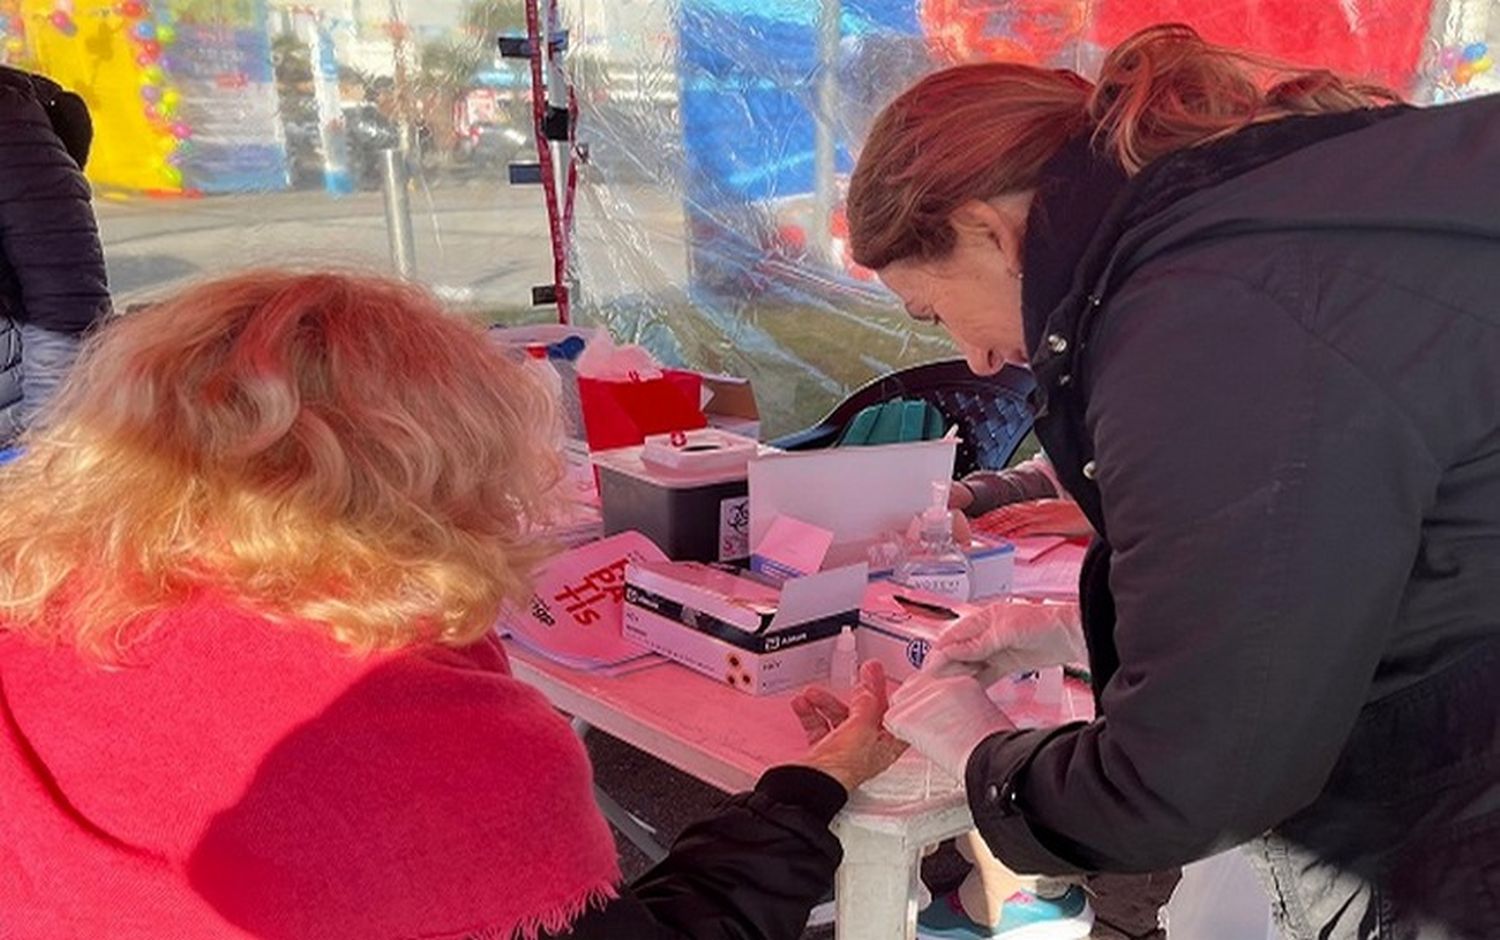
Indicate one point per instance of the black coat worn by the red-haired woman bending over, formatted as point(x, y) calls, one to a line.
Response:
point(1270, 371)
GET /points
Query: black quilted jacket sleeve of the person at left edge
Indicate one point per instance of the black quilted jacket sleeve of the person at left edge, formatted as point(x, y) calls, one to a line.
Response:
point(49, 235)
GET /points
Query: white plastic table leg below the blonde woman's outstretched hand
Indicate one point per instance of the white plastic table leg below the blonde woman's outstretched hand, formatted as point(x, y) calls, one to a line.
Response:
point(875, 893)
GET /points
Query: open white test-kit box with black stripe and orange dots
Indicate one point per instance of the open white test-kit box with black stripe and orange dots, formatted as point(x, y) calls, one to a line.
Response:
point(751, 635)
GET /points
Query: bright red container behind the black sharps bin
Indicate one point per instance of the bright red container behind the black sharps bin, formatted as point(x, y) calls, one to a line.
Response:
point(622, 415)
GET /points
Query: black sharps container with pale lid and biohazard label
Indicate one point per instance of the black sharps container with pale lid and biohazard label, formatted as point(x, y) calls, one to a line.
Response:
point(688, 492)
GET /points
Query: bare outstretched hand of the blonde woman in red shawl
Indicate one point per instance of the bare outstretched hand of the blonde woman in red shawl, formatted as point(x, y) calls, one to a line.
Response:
point(850, 743)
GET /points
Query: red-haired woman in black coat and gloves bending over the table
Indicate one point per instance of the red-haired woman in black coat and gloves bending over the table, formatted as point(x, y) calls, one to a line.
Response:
point(1261, 310)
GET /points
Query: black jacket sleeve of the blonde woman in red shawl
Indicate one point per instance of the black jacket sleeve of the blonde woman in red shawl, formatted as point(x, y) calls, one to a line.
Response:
point(752, 872)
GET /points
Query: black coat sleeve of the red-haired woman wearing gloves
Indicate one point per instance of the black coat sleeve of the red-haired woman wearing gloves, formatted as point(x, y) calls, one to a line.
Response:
point(1265, 504)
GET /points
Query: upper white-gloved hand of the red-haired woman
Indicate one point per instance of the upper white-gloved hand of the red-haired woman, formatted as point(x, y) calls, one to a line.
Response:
point(1009, 636)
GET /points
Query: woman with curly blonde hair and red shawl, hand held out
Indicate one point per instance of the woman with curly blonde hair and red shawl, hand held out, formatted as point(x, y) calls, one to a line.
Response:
point(248, 686)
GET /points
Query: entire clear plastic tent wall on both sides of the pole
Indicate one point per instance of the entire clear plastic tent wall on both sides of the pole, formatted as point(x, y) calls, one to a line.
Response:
point(719, 136)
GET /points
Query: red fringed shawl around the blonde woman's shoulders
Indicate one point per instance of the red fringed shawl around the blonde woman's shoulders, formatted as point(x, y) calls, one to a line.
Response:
point(251, 780)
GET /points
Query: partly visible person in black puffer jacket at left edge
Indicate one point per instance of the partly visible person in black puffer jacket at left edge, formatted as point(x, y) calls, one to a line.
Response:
point(53, 283)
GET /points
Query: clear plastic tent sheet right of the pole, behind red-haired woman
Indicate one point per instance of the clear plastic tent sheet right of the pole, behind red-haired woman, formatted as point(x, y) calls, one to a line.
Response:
point(722, 133)
